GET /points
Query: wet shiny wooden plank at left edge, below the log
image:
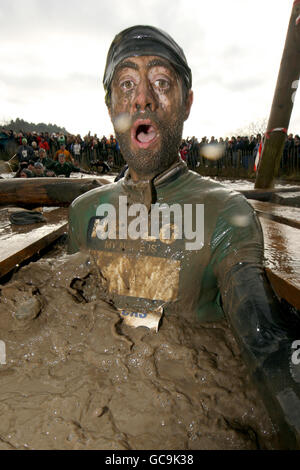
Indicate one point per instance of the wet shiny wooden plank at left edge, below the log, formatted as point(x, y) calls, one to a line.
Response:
point(19, 243)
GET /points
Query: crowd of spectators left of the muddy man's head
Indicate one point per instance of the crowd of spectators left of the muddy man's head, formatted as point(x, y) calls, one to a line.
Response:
point(42, 154)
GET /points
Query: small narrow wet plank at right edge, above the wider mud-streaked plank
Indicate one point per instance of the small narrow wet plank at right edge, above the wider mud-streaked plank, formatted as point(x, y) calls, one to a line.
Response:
point(285, 215)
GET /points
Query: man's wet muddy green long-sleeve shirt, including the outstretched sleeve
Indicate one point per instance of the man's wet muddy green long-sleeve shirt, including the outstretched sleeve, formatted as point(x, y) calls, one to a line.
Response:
point(219, 271)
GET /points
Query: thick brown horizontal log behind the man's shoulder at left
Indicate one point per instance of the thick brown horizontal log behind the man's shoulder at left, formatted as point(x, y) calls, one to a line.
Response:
point(53, 192)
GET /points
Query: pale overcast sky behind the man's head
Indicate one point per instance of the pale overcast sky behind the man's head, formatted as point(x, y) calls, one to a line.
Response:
point(53, 53)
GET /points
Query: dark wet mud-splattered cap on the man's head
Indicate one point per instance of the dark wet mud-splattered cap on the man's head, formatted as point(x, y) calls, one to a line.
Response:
point(145, 40)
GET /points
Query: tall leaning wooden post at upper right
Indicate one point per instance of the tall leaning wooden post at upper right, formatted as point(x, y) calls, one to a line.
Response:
point(283, 101)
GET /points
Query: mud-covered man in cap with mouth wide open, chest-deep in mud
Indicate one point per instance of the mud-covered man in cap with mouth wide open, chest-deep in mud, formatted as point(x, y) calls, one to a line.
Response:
point(163, 236)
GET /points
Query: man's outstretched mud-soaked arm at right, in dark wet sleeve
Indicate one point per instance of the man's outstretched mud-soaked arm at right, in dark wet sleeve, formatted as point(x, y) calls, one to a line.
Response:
point(255, 314)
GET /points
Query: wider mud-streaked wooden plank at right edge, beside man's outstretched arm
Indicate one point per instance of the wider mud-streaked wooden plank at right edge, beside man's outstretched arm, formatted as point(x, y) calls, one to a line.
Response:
point(282, 259)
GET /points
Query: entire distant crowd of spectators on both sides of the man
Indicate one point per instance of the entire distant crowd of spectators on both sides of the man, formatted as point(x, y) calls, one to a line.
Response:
point(44, 154)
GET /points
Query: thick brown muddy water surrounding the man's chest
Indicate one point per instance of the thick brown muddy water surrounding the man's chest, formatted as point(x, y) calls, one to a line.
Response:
point(76, 377)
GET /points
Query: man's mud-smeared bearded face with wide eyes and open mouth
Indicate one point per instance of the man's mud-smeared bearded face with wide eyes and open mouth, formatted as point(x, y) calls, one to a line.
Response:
point(148, 106)
